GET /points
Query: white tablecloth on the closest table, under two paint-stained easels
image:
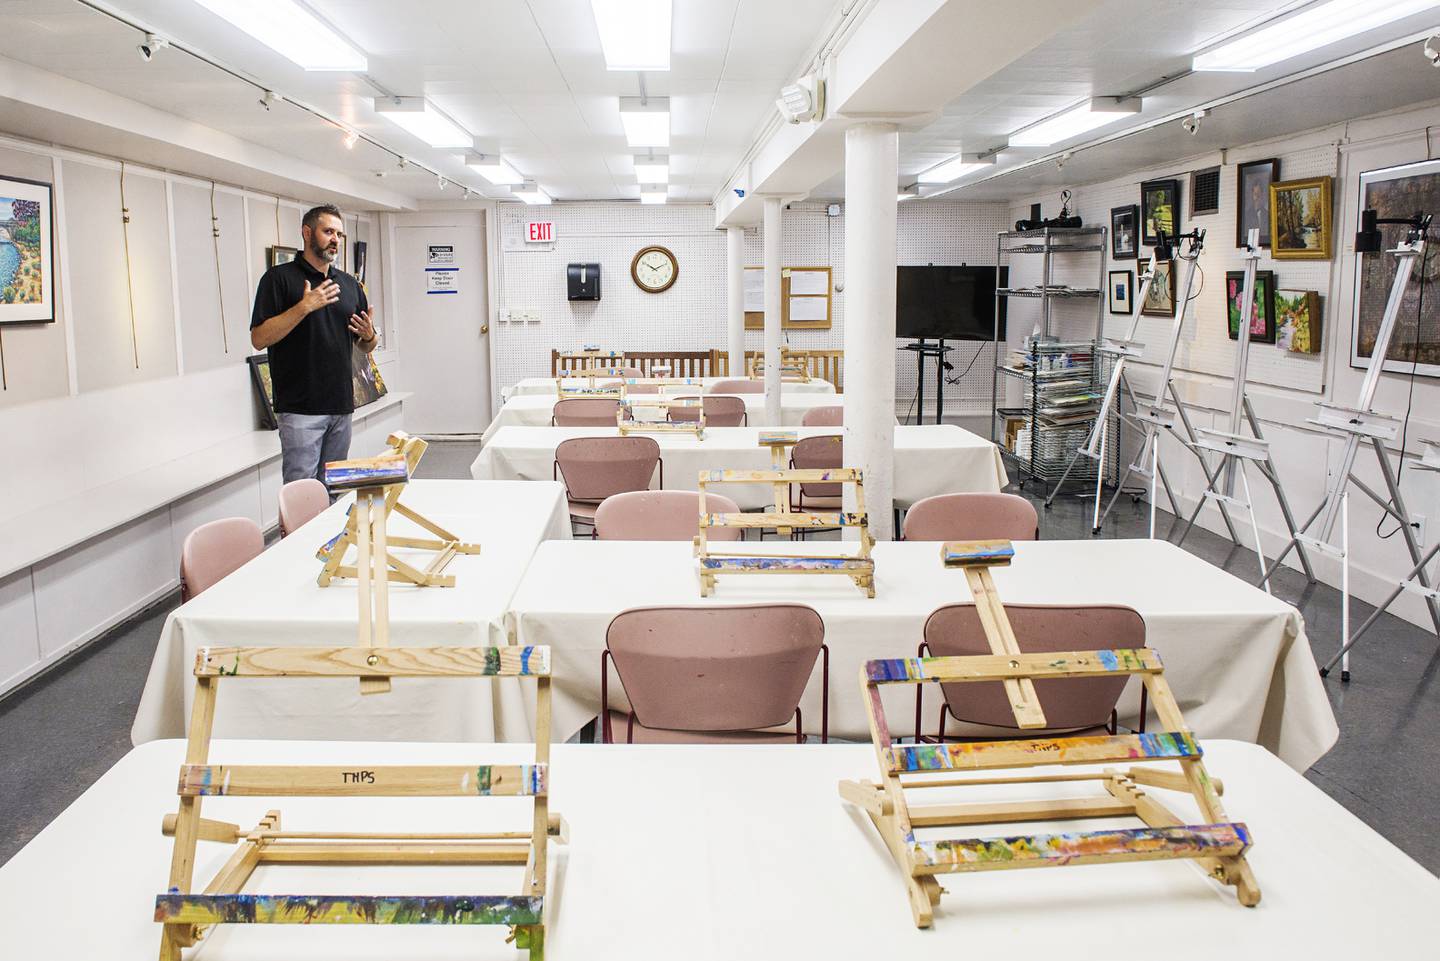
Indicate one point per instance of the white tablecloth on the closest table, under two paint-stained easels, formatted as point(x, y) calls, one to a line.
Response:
point(722, 854)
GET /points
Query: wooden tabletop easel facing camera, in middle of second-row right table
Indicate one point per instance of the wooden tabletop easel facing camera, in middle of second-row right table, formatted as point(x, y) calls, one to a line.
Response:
point(859, 567)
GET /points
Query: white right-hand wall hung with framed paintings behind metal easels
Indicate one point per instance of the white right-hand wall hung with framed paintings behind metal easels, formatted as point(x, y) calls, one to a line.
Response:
point(1285, 387)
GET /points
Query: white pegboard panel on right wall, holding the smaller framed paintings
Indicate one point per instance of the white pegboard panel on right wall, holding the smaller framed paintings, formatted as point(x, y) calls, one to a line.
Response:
point(1205, 344)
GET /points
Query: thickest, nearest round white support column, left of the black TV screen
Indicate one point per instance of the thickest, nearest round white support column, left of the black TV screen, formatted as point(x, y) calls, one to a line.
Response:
point(872, 172)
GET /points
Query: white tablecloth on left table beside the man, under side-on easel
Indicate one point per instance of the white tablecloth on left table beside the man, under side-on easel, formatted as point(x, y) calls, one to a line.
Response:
point(274, 602)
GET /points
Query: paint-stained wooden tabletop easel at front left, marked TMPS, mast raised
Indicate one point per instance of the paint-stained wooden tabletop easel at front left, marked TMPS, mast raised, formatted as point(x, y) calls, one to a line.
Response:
point(188, 914)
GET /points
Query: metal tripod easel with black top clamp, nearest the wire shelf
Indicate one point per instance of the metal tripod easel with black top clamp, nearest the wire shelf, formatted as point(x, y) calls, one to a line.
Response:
point(1153, 419)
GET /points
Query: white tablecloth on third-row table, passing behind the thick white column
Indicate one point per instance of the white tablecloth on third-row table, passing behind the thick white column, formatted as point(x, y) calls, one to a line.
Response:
point(932, 459)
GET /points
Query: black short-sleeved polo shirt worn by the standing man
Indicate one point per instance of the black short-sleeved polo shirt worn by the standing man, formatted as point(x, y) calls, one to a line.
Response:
point(310, 367)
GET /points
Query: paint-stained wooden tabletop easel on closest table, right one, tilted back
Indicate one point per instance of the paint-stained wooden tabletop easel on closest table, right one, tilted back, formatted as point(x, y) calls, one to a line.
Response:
point(1218, 845)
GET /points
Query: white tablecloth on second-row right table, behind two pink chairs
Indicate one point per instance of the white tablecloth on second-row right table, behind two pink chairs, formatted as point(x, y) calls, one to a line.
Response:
point(1236, 658)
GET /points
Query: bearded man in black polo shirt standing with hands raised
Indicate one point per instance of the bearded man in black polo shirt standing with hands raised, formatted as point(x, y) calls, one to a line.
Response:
point(309, 315)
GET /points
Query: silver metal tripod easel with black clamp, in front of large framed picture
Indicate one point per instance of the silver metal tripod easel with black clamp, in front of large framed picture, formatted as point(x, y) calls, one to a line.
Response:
point(1362, 424)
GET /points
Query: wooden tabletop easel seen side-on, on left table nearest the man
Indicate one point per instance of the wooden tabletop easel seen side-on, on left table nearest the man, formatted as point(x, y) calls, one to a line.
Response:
point(377, 508)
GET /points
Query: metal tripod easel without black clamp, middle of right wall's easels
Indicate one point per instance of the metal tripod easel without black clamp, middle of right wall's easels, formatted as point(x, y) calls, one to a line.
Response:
point(1236, 450)
